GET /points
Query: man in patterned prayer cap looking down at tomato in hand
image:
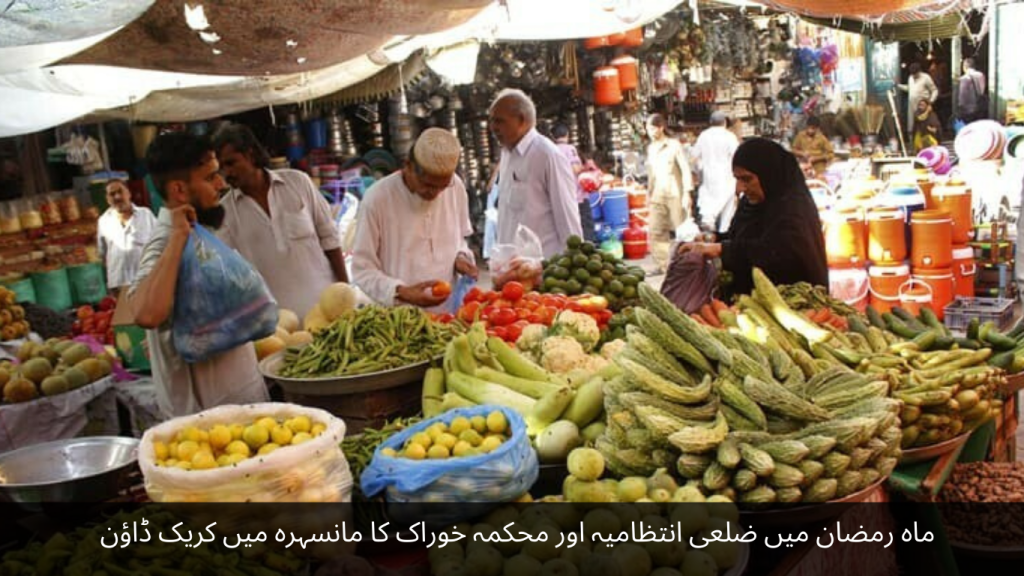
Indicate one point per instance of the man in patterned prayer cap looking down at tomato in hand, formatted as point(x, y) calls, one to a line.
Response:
point(412, 228)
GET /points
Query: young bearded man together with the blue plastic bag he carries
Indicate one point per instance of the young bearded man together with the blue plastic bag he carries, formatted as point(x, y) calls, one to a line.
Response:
point(201, 302)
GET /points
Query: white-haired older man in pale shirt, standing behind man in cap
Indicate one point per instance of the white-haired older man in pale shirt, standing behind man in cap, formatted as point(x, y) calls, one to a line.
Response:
point(536, 186)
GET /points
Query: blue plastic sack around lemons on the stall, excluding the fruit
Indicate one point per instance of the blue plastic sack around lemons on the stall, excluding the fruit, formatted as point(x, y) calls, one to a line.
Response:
point(502, 476)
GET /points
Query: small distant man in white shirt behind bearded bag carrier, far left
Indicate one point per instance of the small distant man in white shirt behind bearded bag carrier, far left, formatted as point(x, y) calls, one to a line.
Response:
point(121, 234)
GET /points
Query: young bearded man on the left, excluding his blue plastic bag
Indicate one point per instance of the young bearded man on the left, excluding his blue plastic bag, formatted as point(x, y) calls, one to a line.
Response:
point(186, 172)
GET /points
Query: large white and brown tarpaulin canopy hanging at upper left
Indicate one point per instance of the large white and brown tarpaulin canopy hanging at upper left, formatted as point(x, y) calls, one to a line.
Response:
point(102, 73)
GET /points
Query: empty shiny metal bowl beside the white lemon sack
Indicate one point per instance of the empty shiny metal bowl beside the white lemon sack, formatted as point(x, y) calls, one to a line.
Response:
point(80, 470)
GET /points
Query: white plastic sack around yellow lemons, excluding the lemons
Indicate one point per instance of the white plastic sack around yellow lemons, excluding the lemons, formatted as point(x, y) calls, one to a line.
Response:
point(314, 472)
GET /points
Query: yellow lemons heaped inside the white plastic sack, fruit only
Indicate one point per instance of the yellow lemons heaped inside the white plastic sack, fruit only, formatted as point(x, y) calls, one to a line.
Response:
point(227, 445)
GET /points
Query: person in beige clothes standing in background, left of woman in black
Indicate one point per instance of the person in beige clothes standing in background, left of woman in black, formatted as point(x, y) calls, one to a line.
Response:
point(670, 189)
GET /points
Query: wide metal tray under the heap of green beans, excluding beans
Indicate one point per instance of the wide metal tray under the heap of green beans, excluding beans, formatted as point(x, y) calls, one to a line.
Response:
point(340, 386)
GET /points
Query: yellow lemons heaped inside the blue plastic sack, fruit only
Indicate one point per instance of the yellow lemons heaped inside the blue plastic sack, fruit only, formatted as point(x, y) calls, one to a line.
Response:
point(461, 438)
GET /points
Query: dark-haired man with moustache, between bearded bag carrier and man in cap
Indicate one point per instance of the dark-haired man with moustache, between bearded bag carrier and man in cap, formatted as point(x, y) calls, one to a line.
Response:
point(278, 221)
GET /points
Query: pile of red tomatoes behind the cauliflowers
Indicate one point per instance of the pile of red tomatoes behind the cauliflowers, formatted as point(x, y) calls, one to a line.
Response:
point(507, 312)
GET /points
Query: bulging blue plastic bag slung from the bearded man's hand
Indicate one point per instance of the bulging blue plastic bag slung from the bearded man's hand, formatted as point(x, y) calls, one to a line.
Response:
point(221, 301)
